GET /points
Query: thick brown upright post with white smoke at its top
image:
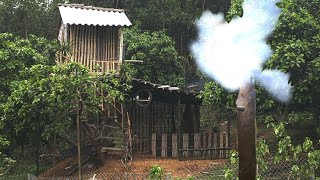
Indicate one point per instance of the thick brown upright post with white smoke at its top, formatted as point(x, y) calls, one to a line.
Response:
point(247, 132)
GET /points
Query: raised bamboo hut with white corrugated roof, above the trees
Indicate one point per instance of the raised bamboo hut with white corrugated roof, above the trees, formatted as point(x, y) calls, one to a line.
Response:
point(92, 36)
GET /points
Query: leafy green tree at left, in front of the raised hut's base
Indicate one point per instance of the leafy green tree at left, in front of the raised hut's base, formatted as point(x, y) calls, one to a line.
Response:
point(40, 99)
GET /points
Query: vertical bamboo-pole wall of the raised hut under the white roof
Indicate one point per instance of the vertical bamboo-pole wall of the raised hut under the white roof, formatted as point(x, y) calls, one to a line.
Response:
point(96, 46)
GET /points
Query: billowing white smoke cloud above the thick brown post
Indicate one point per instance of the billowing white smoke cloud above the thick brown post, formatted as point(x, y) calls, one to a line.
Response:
point(234, 52)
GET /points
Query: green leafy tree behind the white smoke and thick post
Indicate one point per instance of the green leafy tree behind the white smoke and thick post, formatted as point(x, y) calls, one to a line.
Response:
point(295, 42)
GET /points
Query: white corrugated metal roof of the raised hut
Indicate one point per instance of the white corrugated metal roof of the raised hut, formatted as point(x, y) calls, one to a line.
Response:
point(87, 15)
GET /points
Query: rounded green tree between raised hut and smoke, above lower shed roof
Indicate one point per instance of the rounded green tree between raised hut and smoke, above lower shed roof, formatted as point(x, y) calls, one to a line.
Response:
point(161, 62)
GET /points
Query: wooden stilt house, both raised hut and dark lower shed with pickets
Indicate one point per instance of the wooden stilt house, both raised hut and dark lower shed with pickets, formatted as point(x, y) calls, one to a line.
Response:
point(162, 120)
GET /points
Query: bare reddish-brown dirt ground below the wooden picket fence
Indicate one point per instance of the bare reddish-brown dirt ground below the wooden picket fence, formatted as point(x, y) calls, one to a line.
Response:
point(141, 164)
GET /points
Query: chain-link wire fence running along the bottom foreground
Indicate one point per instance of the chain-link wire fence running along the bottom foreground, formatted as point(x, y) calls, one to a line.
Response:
point(278, 171)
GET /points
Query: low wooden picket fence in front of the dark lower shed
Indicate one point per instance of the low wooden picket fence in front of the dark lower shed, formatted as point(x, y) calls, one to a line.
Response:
point(208, 145)
